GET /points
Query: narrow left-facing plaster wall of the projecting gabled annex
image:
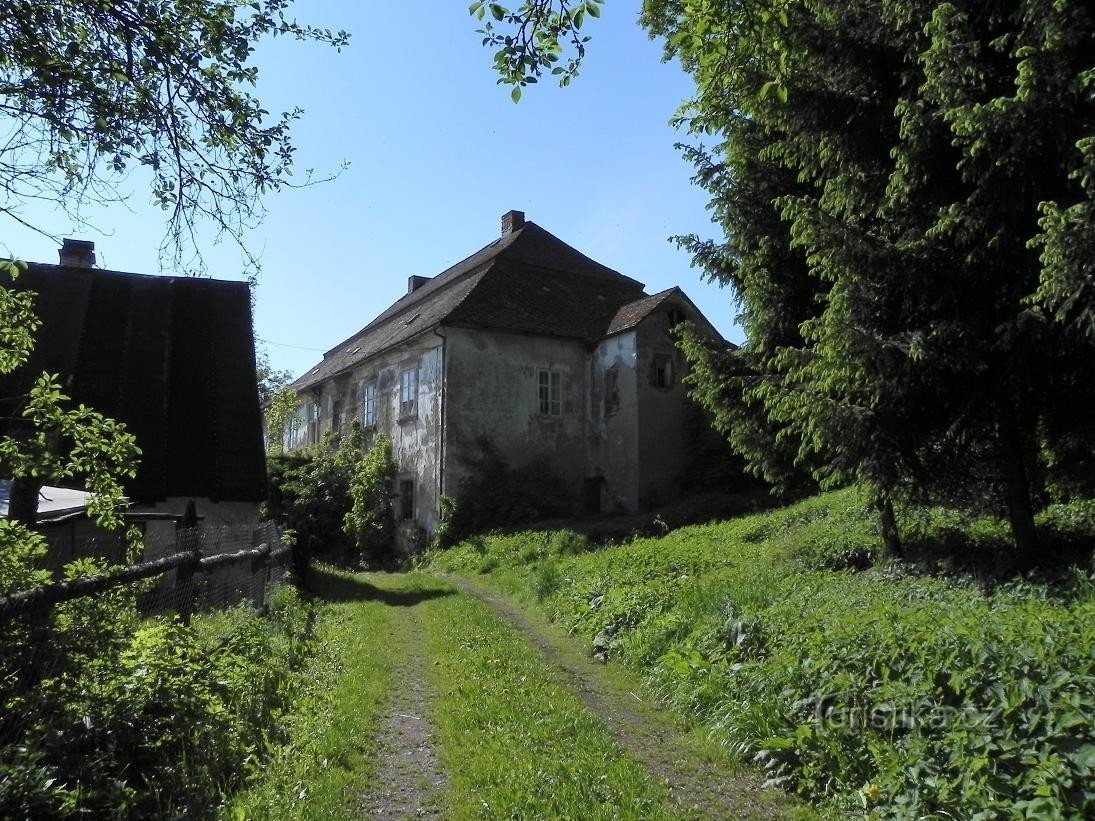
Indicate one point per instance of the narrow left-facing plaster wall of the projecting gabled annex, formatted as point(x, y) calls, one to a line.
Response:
point(614, 437)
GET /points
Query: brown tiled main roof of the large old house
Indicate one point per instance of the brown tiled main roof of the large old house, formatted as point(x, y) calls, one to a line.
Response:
point(526, 282)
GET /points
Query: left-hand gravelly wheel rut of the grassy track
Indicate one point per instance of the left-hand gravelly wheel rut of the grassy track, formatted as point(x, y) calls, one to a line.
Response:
point(410, 781)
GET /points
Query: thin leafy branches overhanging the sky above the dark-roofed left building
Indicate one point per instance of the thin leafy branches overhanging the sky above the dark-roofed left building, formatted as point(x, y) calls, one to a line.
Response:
point(94, 89)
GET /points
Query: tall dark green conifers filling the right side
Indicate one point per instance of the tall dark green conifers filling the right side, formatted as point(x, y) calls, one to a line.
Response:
point(907, 191)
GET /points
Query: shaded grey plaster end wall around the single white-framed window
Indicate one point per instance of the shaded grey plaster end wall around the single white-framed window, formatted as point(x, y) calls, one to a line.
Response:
point(492, 391)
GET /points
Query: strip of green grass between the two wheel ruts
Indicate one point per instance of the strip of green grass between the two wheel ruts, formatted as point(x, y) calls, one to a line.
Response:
point(515, 743)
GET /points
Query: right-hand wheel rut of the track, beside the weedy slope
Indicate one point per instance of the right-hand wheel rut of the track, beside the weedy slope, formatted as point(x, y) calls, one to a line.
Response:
point(696, 785)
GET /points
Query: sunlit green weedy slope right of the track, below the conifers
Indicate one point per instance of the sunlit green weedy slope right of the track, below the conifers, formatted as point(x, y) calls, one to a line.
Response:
point(870, 691)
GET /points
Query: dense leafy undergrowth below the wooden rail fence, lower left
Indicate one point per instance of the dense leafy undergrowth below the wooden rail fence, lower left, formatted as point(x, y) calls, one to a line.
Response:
point(109, 714)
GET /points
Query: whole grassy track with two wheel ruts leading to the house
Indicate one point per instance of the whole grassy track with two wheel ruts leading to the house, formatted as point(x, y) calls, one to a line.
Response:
point(436, 700)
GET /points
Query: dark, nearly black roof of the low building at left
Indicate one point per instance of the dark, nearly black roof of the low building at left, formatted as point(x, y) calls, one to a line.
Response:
point(171, 357)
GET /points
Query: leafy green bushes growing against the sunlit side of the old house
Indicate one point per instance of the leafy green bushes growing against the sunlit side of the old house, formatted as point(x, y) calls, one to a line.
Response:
point(337, 498)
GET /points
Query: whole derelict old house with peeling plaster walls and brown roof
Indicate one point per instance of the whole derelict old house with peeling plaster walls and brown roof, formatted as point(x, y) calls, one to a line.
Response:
point(558, 364)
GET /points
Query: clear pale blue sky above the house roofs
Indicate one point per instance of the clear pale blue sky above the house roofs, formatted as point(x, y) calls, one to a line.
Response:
point(439, 154)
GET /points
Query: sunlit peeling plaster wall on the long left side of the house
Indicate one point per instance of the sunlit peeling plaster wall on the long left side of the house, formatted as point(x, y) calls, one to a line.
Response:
point(417, 437)
